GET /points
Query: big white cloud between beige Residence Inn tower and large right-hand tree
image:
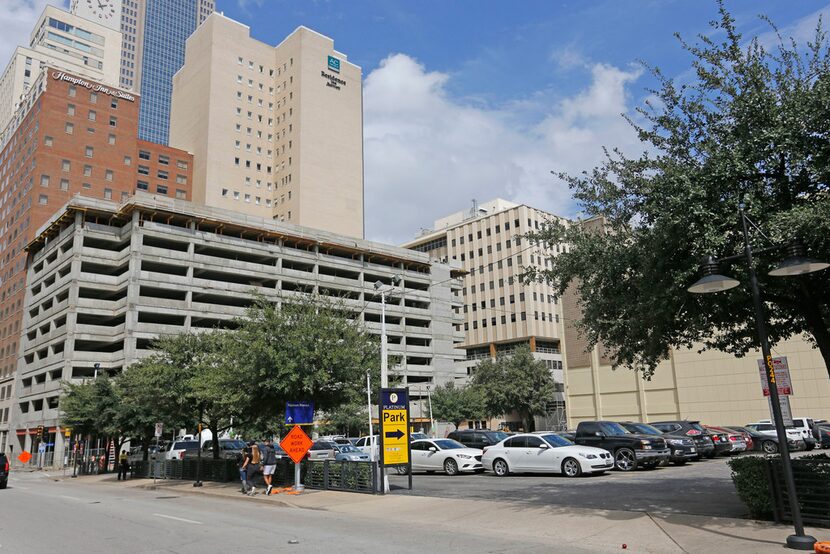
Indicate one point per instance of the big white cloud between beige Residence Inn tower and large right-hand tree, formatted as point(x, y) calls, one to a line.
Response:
point(426, 149)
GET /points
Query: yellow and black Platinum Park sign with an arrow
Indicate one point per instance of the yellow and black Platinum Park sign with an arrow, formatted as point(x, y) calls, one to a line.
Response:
point(395, 450)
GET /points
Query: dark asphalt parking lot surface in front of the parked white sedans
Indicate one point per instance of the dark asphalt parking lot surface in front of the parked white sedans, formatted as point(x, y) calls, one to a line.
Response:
point(698, 488)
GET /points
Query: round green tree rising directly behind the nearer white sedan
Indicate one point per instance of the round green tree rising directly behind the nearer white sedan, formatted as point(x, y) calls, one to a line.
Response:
point(515, 382)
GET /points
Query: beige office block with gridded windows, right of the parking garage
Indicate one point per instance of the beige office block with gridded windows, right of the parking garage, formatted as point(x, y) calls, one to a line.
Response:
point(499, 311)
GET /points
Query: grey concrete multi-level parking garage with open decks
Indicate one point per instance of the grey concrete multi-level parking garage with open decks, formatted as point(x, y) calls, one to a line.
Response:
point(105, 279)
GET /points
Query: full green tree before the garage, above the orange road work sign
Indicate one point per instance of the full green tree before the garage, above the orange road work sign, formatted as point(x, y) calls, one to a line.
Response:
point(303, 348)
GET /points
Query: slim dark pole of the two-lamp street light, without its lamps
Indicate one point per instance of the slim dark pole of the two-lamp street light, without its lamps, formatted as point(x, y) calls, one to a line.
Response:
point(799, 540)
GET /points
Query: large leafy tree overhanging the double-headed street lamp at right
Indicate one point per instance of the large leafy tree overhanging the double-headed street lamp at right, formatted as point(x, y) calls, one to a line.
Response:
point(751, 127)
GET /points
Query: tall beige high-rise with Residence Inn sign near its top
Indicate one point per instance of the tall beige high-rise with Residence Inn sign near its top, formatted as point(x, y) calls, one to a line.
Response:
point(276, 131)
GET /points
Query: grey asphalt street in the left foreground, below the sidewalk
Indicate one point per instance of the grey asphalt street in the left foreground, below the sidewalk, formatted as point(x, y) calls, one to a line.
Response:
point(41, 515)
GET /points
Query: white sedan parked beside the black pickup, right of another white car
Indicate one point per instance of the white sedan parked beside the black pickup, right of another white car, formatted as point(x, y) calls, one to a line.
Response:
point(545, 453)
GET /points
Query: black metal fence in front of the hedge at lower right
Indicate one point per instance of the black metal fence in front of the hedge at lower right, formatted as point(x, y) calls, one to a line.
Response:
point(812, 485)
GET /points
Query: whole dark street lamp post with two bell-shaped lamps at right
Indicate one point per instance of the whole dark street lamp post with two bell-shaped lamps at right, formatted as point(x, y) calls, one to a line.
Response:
point(711, 282)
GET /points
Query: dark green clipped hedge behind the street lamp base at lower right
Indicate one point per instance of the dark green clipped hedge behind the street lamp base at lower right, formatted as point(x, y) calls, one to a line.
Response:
point(759, 483)
